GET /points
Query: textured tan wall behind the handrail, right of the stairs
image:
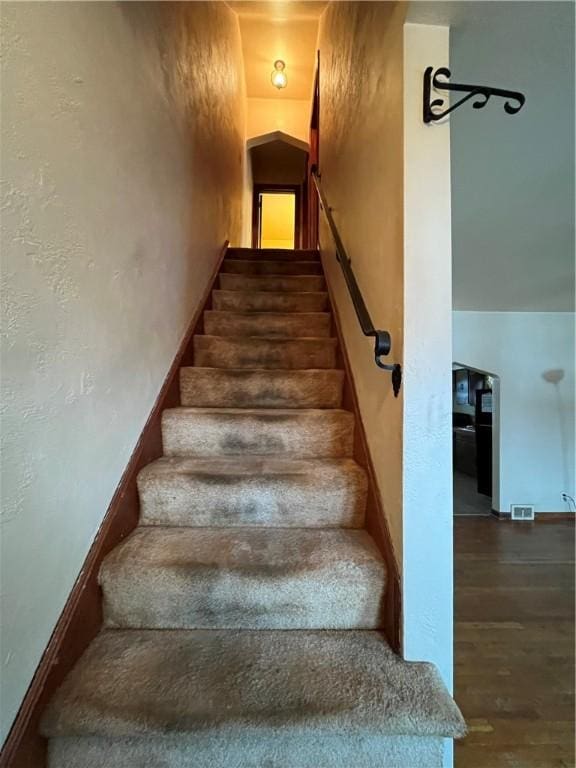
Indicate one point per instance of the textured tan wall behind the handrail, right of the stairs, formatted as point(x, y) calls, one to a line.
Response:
point(361, 139)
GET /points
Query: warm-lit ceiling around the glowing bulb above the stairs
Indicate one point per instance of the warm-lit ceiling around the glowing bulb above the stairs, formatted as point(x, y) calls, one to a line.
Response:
point(281, 29)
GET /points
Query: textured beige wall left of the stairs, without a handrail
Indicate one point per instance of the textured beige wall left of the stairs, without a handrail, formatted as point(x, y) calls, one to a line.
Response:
point(122, 137)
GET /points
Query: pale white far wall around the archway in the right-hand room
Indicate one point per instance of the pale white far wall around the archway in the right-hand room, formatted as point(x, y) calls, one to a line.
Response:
point(536, 440)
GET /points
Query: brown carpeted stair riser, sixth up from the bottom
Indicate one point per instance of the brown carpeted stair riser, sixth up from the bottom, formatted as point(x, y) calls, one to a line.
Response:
point(236, 352)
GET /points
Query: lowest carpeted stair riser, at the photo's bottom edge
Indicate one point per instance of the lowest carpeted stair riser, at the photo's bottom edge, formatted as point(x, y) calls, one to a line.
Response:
point(267, 746)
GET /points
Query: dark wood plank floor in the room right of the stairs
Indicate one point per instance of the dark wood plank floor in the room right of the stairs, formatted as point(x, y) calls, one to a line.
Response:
point(514, 643)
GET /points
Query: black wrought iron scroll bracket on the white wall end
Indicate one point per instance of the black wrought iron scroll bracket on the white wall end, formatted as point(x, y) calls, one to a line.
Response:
point(482, 92)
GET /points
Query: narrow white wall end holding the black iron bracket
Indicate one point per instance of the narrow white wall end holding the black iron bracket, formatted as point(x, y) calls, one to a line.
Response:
point(427, 421)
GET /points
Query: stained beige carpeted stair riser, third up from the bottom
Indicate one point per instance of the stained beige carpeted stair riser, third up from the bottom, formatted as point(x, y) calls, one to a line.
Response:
point(327, 500)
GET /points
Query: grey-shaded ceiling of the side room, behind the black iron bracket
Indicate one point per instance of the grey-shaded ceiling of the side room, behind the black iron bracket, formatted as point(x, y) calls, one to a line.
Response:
point(513, 175)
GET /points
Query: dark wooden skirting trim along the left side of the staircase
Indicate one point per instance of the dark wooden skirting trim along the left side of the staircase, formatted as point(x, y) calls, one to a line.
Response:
point(81, 618)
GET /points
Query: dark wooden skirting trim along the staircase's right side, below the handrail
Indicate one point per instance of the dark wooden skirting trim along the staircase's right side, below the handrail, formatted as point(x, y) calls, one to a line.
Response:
point(376, 523)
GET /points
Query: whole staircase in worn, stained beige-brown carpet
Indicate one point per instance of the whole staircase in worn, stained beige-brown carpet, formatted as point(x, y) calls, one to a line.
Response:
point(242, 616)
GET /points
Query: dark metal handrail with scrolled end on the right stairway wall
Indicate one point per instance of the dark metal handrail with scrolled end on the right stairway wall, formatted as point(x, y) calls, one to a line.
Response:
point(382, 339)
